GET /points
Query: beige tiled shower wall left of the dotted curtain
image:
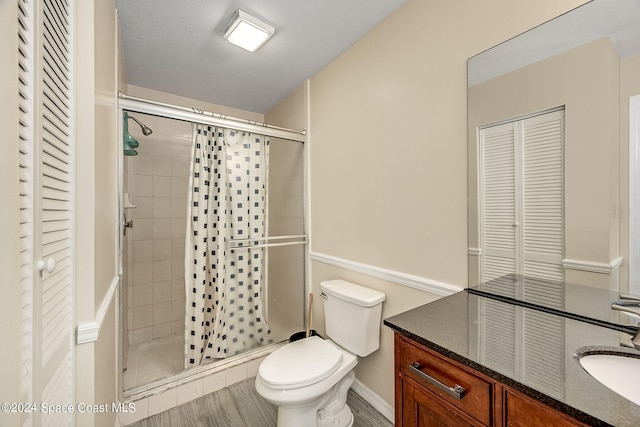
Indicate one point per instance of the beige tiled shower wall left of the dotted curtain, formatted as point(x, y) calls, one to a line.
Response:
point(157, 183)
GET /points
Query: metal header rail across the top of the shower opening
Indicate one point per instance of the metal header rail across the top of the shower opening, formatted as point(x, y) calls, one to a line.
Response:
point(155, 108)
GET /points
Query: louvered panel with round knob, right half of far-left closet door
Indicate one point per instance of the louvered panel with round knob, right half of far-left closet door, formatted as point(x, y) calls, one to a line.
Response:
point(53, 184)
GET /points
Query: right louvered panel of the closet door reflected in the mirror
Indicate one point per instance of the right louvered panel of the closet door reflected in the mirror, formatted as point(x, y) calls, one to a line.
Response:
point(543, 195)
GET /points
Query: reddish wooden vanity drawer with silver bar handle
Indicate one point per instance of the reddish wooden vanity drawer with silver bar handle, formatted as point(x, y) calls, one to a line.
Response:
point(440, 377)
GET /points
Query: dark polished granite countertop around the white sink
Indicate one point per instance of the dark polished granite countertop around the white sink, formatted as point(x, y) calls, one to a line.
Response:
point(527, 349)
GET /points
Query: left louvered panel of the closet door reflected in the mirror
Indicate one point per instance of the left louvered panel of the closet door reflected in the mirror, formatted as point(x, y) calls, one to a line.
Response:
point(498, 213)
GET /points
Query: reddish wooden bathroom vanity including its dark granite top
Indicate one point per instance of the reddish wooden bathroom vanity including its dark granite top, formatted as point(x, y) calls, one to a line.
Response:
point(482, 359)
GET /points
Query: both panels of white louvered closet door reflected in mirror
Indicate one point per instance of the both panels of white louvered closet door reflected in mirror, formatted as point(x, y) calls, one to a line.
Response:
point(522, 197)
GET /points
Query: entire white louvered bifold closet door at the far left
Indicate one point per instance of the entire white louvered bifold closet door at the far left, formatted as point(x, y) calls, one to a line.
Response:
point(47, 184)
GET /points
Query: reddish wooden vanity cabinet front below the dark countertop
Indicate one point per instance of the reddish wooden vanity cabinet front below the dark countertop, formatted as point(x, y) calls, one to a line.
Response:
point(432, 390)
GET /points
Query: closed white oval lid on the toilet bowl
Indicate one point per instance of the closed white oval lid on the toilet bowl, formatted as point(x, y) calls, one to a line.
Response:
point(300, 363)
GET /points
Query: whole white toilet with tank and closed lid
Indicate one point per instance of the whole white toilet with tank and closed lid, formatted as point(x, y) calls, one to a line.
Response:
point(308, 379)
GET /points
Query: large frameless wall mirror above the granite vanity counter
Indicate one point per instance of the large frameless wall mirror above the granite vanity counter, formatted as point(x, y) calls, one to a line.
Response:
point(548, 132)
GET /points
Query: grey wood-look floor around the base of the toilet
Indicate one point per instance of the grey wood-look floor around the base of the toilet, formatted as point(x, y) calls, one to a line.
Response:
point(240, 405)
